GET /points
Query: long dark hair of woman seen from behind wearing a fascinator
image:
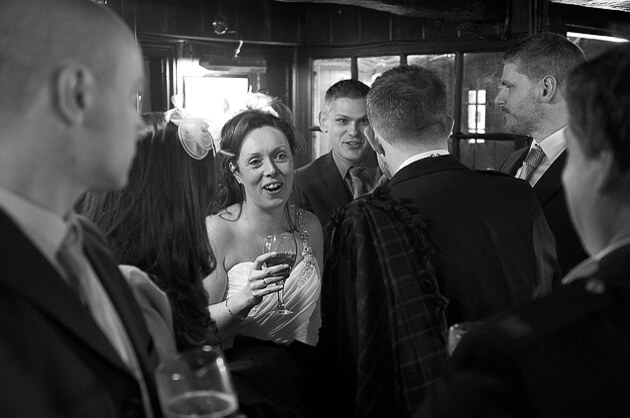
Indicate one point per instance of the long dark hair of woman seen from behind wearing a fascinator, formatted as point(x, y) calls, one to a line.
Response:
point(157, 223)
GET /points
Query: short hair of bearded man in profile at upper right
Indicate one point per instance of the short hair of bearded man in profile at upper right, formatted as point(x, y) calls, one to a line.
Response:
point(546, 54)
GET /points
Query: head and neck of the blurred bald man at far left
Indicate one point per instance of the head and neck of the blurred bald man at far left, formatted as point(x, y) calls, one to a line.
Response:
point(69, 75)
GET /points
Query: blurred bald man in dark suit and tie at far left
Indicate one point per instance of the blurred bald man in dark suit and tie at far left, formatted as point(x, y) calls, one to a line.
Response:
point(74, 342)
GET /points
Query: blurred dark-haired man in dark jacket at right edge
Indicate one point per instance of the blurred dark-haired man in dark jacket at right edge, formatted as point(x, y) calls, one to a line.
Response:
point(566, 355)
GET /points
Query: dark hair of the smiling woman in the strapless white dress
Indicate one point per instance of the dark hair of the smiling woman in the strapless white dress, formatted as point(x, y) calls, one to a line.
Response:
point(233, 135)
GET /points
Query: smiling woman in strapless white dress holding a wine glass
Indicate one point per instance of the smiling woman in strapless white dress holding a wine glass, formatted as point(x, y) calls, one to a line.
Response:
point(256, 200)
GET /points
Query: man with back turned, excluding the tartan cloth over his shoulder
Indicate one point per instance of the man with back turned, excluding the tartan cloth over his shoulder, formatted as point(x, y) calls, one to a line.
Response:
point(493, 247)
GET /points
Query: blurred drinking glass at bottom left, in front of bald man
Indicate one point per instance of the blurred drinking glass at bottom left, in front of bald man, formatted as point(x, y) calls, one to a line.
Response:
point(196, 383)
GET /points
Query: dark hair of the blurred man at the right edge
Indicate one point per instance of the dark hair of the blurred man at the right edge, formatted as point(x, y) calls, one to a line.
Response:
point(598, 97)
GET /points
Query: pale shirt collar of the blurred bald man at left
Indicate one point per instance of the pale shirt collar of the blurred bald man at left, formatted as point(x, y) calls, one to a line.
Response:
point(44, 228)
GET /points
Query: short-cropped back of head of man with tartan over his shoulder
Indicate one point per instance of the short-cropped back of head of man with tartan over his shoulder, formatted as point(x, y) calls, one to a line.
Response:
point(407, 107)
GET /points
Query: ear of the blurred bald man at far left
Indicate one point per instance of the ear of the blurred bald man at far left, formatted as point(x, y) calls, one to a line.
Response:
point(75, 92)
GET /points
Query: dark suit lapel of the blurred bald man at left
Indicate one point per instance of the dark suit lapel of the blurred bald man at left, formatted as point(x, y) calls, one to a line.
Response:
point(25, 271)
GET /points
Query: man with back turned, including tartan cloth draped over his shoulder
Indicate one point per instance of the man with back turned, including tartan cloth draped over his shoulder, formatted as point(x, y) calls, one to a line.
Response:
point(437, 230)
